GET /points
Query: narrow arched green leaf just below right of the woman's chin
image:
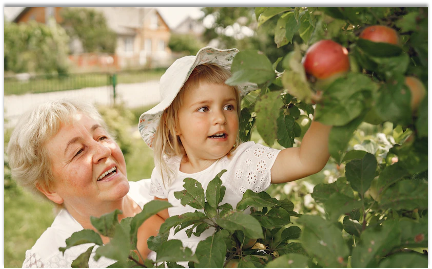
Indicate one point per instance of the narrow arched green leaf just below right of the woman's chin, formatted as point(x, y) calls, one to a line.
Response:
point(151, 208)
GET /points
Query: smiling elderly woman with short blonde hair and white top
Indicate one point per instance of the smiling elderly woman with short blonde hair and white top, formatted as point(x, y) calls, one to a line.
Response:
point(62, 152)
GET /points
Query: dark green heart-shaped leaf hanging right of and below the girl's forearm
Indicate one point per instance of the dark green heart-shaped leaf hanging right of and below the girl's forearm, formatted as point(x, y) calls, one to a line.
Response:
point(360, 173)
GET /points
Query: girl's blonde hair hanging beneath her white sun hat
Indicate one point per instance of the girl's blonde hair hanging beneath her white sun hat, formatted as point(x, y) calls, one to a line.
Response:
point(166, 143)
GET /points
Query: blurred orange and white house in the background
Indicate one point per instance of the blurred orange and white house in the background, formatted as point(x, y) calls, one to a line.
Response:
point(142, 36)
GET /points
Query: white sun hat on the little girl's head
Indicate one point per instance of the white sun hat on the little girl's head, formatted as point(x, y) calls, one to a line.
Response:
point(173, 79)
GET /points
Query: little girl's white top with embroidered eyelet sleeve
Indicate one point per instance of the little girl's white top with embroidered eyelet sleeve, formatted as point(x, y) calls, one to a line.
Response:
point(248, 167)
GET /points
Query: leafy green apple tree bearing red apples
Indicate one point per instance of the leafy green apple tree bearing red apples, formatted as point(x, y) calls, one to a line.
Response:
point(356, 68)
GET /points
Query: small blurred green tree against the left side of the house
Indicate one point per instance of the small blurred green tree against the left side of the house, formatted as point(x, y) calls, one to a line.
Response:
point(91, 28)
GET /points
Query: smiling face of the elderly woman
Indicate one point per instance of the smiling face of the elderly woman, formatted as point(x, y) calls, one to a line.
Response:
point(88, 166)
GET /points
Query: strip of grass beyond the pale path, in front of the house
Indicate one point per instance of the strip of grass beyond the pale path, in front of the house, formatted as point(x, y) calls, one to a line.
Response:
point(41, 84)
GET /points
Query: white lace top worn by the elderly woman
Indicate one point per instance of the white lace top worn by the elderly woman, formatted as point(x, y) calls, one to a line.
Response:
point(45, 251)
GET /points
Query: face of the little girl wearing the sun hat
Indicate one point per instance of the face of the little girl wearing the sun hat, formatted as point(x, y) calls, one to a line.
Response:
point(208, 121)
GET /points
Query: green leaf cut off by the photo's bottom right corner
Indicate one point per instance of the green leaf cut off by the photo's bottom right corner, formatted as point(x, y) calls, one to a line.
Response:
point(405, 260)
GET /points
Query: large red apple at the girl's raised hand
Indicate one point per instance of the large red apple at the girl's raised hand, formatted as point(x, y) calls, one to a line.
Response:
point(325, 61)
